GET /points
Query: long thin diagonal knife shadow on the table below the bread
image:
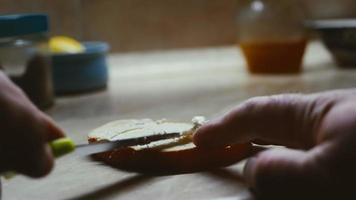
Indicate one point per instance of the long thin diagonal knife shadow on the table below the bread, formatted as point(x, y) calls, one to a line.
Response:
point(115, 188)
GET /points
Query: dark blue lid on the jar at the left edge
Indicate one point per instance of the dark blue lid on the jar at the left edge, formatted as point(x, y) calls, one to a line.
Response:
point(23, 24)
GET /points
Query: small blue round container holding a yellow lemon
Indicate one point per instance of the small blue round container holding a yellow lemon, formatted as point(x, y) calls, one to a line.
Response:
point(81, 72)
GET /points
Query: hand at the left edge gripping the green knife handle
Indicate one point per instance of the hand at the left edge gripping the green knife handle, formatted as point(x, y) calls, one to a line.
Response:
point(24, 132)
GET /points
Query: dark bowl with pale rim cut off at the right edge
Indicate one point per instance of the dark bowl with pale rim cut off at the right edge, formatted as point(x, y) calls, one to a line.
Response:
point(339, 36)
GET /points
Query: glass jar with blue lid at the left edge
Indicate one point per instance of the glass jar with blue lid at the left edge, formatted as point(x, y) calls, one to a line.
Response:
point(24, 55)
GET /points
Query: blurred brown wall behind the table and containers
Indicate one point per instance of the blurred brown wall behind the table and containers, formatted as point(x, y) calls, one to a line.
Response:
point(136, 25)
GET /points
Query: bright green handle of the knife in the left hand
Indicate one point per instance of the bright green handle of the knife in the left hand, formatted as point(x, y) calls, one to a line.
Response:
point(60, 147)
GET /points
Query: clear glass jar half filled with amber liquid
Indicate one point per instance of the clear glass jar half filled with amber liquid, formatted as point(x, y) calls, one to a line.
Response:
point(271, 35)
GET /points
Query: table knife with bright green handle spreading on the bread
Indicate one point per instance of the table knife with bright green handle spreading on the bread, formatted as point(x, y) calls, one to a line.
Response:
point(66, 145)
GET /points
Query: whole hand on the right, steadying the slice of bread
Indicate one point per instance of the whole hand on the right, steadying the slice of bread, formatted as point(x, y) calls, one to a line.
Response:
point(320, 131)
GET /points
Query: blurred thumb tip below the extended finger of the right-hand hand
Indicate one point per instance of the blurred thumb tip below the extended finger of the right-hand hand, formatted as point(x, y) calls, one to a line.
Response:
point(285, 174)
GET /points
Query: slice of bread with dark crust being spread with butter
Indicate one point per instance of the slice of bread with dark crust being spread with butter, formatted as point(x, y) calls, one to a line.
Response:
point(170, 156)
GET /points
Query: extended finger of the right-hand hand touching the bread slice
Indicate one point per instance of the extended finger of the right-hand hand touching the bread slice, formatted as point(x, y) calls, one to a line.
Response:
point(288, 120)
